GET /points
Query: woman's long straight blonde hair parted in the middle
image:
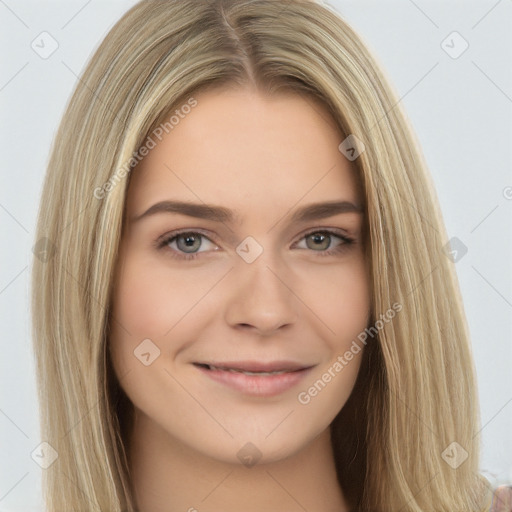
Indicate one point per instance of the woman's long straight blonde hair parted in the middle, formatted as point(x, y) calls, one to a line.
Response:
point(416, 392)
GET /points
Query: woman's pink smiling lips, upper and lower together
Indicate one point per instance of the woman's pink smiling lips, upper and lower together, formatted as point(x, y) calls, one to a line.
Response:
point(257, 385)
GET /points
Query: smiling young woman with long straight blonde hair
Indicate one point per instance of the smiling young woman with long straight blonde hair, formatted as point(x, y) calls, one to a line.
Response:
point(249, 304)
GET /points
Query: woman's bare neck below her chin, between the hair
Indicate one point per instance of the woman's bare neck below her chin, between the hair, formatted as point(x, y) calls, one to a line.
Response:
point(169, 476)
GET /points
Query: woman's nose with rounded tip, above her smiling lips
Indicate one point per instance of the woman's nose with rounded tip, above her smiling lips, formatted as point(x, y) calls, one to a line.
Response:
point(262, 299)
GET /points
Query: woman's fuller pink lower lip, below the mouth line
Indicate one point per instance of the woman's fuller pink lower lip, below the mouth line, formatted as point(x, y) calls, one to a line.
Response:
point(257, 385)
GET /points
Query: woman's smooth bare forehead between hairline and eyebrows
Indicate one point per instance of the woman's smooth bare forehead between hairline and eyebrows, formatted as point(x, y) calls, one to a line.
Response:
point(239, 147)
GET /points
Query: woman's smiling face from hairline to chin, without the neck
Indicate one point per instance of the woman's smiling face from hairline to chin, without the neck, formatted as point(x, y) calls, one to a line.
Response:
point(253, 283)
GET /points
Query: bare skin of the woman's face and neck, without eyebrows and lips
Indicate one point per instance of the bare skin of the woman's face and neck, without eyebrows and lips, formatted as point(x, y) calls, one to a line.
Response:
point(198, 444)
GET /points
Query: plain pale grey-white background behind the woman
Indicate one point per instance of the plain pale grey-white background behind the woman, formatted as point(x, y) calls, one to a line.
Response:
point(460, 109)
